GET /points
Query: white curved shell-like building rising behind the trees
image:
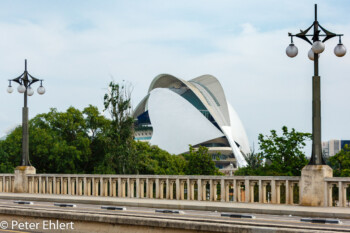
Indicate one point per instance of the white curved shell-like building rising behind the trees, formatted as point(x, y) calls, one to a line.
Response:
point(177, 113)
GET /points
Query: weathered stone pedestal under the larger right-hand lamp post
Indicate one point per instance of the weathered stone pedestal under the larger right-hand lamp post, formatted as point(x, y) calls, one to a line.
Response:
point(312, 185)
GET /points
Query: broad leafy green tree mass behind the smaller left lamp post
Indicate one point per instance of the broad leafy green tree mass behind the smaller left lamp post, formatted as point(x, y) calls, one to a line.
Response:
point(59, 142)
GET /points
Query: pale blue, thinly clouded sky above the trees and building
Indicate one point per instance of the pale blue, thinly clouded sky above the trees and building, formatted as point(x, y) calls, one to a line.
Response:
point(79, 46)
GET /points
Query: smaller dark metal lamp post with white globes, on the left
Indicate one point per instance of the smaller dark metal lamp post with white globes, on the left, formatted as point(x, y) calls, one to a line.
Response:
point(25, 82)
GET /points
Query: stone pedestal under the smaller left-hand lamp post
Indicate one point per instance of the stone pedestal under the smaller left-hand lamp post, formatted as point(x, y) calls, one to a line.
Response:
point(21, 179)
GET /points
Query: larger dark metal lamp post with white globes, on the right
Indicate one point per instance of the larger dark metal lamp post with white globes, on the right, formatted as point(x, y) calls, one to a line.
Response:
point(317, 48)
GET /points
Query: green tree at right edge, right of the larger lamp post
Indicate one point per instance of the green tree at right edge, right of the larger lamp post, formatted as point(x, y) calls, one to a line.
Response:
point(340, 162)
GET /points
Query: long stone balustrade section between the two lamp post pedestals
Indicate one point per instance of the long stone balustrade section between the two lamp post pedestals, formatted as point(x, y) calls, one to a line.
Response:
point(261, 189)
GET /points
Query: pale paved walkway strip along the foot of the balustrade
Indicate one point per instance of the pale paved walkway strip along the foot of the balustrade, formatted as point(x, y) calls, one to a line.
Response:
point(295, 210)
